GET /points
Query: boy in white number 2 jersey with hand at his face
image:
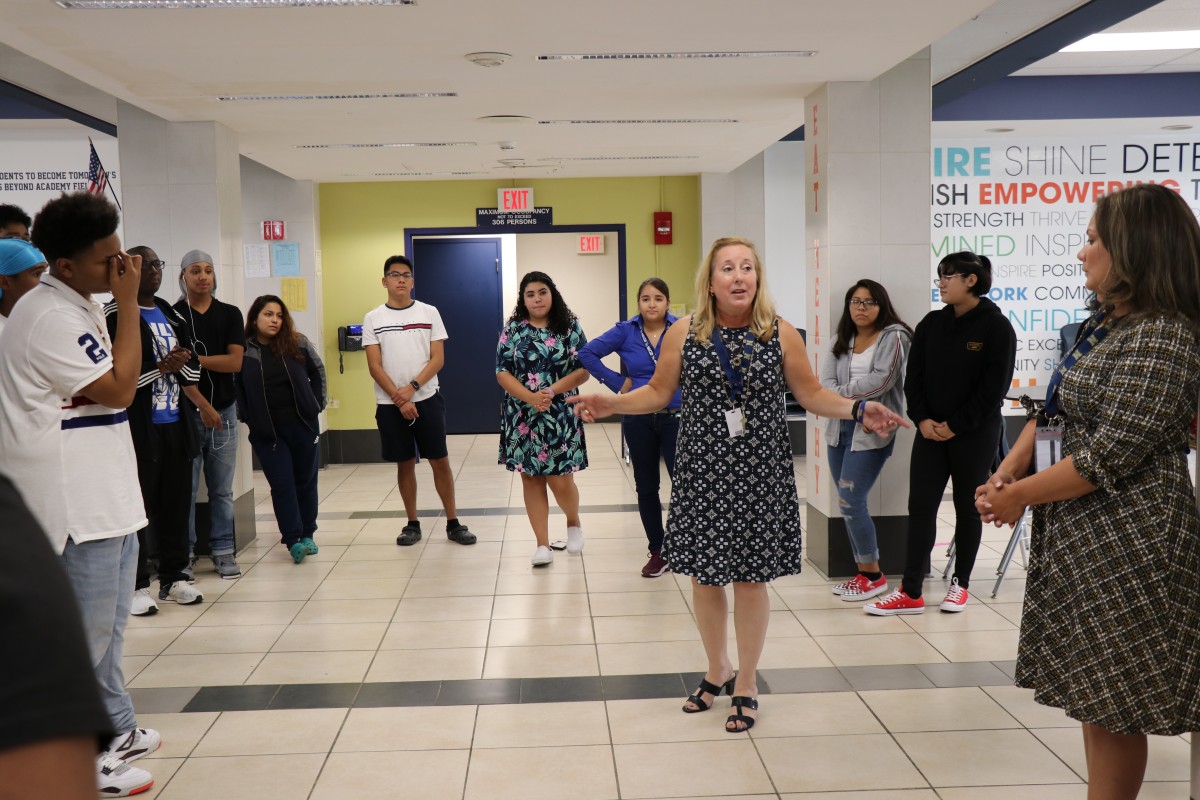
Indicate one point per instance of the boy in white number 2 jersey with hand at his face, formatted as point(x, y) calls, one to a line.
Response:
point(65, 442)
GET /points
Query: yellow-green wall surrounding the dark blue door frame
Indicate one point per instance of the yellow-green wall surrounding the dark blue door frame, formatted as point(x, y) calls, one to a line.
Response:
point(362, 225)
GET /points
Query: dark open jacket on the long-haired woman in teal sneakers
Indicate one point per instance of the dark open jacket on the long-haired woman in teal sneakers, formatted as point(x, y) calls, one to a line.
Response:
point(308, 387)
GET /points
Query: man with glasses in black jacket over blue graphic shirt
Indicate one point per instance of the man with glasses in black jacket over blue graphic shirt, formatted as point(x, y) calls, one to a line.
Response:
point(164, 437)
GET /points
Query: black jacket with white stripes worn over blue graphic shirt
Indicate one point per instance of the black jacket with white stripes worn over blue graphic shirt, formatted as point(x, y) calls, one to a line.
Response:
point(143, 401)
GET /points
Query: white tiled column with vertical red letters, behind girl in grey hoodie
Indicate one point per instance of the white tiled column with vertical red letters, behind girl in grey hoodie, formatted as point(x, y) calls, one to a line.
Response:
point(867, 216)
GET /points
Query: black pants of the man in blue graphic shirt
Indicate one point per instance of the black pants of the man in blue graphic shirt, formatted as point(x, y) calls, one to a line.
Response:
point(165, 473)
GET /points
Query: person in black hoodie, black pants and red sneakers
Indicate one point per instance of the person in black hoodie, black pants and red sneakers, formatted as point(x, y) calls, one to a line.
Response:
point(959, 370)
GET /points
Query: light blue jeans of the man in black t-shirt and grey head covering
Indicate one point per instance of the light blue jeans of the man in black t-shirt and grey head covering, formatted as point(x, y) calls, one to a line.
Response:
point(218, 459)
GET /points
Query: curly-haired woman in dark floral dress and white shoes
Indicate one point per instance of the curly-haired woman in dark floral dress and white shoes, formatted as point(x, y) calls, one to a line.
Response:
point(538, 365)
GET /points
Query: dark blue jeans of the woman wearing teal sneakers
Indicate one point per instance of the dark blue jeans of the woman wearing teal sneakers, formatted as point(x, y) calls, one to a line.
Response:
point(290, 465)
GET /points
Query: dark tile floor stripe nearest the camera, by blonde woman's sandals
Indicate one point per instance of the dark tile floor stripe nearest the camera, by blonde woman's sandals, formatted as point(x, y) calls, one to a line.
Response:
point(561, 690)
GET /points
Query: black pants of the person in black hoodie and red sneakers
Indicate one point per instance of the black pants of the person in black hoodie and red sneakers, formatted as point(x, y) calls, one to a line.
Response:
point(967, 460)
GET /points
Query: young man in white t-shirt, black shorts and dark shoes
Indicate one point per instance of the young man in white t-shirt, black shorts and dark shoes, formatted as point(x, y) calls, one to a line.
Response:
point(404, 341)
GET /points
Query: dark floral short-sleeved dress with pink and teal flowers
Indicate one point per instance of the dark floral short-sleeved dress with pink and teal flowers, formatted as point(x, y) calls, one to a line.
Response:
point(535, 443)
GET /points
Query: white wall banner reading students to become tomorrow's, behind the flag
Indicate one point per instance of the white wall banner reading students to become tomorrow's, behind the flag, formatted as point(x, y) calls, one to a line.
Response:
point(39, 165)
